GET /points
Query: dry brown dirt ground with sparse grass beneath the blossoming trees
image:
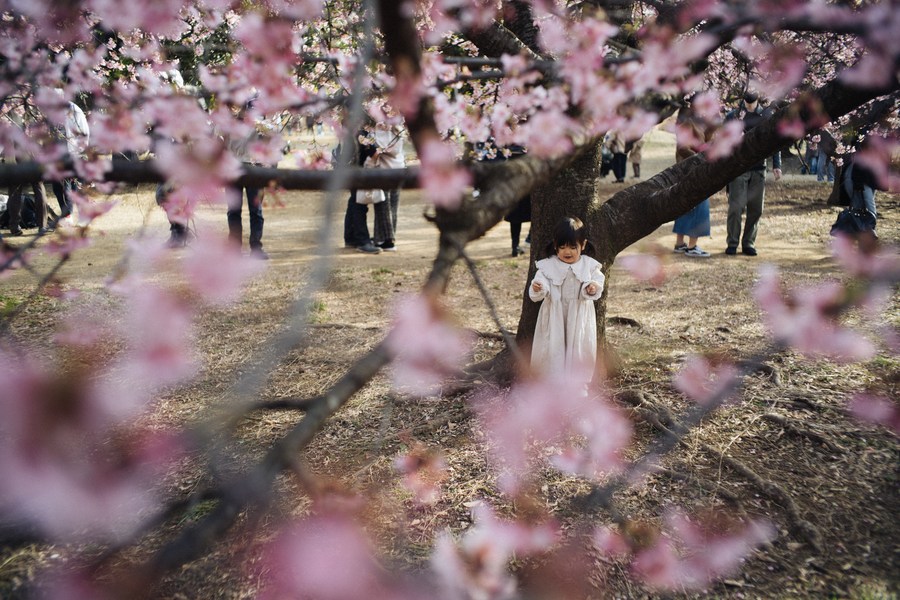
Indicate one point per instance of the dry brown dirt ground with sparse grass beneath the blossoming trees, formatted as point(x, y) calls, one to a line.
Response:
point(843, 480)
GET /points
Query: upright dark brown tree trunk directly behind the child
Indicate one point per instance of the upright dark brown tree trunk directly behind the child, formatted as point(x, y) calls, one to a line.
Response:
point(571, 193)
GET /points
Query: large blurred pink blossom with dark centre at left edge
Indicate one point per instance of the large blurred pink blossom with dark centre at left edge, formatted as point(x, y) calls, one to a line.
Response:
point(59, 469)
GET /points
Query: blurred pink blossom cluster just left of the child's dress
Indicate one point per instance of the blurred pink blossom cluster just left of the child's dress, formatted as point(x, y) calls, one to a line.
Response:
point(426, 348)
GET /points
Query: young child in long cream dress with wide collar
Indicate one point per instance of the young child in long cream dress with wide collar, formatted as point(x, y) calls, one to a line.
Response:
point(568, 282)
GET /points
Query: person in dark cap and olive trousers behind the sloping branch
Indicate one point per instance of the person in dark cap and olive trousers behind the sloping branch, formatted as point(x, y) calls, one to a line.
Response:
point(747, 191)
